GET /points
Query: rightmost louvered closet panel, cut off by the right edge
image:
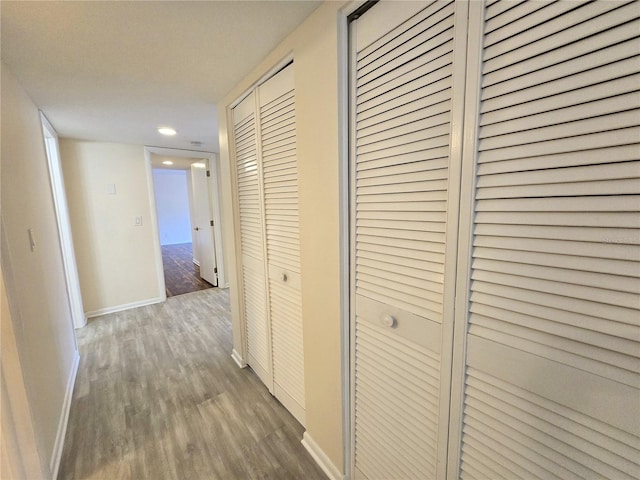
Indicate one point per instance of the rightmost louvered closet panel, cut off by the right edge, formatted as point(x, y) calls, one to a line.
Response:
point(552, 368)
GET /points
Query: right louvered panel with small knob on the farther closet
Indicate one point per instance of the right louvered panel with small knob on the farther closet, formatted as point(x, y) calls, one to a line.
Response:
point(279, 164)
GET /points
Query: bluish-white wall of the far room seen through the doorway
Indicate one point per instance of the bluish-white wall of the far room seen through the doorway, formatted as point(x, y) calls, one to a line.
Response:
point(172, 205)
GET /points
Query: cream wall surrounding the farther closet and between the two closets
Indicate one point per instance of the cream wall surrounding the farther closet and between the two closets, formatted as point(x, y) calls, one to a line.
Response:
point(315, 51)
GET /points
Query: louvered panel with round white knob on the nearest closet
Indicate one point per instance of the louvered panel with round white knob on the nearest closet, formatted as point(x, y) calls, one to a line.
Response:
point(400, 182)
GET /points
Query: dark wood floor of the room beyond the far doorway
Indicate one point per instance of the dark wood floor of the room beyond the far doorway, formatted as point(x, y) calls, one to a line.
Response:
point(181, 275)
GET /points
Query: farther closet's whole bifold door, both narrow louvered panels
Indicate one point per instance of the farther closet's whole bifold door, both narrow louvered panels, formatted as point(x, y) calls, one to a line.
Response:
point(267, 179)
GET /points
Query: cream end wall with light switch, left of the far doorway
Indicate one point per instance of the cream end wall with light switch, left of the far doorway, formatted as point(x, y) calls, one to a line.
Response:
point(116, 259)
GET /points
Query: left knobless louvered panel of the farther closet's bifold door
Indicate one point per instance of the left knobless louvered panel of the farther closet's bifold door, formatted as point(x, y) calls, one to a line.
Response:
point(252, 239)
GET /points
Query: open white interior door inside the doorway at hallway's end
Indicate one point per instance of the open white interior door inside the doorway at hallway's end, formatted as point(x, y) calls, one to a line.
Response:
point(203, 227)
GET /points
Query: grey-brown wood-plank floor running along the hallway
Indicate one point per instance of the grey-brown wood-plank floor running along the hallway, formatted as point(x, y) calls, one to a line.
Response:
point(158, 397)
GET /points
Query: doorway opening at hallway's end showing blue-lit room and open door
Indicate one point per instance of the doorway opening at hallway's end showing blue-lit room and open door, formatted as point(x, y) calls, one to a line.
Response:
point(185, 223)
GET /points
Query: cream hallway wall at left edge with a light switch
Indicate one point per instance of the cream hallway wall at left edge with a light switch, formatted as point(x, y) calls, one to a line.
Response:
point(35, 280)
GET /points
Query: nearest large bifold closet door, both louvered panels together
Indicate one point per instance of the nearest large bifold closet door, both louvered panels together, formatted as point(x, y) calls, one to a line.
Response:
point(536, 243)
